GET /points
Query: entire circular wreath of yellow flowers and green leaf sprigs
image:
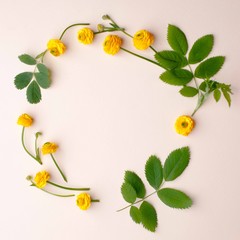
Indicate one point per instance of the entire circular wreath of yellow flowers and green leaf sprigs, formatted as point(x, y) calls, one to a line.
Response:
point(188, 68)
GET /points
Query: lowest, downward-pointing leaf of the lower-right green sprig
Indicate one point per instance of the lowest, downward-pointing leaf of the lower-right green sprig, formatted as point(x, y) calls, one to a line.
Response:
point(149, 216)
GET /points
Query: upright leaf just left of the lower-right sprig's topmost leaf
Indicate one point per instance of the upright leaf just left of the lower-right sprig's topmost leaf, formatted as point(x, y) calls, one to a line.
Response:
point(154, 172)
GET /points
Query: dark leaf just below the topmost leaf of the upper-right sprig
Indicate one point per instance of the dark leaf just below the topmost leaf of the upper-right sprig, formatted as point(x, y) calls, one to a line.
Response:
point(170, 59)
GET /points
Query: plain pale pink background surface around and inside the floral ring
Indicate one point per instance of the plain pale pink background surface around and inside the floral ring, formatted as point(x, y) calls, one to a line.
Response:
point(109, 114)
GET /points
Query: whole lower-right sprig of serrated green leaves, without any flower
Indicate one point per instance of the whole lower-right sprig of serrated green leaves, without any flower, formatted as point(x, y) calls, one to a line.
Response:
point(134, 192)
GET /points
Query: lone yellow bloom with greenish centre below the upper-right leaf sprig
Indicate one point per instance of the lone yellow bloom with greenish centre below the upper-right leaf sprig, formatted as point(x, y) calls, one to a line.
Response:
point(184, 125)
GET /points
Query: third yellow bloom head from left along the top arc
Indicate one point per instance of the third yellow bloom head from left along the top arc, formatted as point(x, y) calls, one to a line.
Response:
point(112, 44)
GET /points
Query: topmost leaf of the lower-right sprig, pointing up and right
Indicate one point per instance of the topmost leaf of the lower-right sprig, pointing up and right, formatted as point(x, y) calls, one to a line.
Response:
point(176, 163)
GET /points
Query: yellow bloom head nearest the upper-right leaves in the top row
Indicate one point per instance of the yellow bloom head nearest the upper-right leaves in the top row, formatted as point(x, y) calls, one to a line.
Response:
point(143, 39)
